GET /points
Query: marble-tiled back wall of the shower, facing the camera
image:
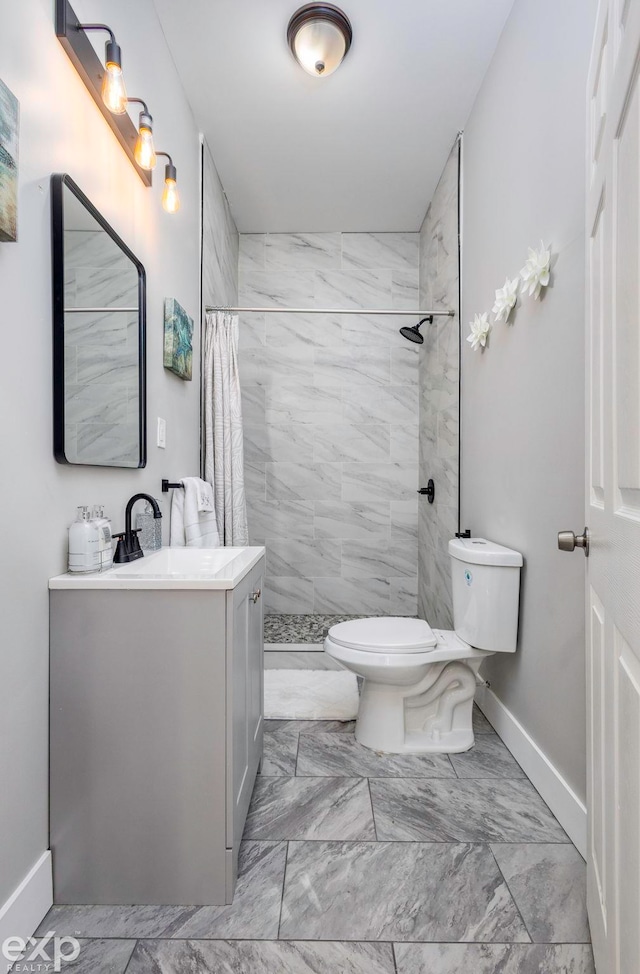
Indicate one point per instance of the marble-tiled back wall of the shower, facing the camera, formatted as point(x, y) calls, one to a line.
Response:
point(330, 407)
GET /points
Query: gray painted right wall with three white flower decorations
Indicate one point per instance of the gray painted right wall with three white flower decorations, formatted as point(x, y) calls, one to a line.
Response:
point(523, 398)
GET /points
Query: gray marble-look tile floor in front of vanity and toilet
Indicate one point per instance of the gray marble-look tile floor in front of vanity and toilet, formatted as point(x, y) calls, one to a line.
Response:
point(359, 863)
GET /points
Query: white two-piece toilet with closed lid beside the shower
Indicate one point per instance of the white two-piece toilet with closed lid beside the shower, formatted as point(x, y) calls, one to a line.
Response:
point(419, 683)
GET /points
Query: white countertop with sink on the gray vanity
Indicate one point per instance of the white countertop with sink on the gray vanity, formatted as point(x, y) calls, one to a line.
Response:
point(170, 568)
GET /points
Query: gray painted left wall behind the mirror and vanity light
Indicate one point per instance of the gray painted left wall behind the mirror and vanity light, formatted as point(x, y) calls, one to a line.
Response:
point(62, 130)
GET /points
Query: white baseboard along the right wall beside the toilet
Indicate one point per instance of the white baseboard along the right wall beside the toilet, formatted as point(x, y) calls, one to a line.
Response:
point(559, 796)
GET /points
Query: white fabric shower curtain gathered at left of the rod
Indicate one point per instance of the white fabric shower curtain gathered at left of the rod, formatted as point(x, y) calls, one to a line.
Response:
point(224, 451)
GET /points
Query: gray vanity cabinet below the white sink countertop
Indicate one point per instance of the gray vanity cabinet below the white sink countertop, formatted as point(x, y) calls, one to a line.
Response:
point(156, 738)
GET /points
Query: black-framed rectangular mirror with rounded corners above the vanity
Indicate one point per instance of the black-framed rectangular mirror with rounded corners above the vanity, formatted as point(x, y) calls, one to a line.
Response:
point(99, 304)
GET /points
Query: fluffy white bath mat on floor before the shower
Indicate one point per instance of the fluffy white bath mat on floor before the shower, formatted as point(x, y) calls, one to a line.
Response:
point(310, 695)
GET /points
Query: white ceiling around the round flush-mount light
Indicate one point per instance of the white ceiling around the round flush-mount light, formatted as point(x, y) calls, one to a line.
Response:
point(360, 150)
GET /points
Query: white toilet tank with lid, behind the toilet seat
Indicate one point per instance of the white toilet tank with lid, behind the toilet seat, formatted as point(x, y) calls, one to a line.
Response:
point(486, 593)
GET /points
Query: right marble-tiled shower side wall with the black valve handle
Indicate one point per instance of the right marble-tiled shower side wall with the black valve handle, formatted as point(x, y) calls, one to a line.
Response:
point(439, 397)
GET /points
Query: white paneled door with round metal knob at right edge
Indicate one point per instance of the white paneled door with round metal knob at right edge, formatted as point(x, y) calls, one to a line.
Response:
point(613, 488)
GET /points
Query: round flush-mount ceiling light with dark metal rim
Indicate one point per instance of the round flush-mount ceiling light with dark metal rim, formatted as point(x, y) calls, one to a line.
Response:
point(319, 36)
